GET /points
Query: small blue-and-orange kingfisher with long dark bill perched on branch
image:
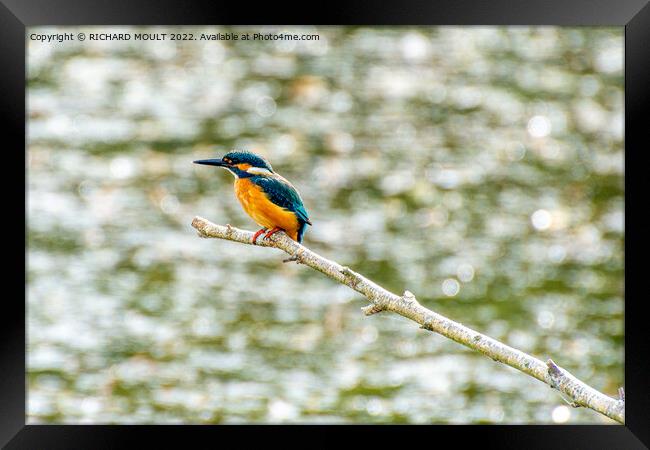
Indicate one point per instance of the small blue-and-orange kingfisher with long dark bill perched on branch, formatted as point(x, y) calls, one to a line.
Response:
point(268, 198)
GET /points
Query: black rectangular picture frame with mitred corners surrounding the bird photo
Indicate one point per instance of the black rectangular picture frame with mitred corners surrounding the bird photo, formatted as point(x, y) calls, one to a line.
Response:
point(16, 15)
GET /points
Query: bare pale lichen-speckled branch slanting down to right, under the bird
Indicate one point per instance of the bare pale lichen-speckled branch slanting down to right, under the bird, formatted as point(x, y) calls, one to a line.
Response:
point(579, 393)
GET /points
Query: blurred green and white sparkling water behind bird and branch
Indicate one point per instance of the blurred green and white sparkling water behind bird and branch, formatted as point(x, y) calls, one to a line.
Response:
point(480, 168)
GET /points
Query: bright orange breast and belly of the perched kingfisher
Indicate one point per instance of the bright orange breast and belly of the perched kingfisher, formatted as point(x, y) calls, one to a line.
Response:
point(266, 213)
